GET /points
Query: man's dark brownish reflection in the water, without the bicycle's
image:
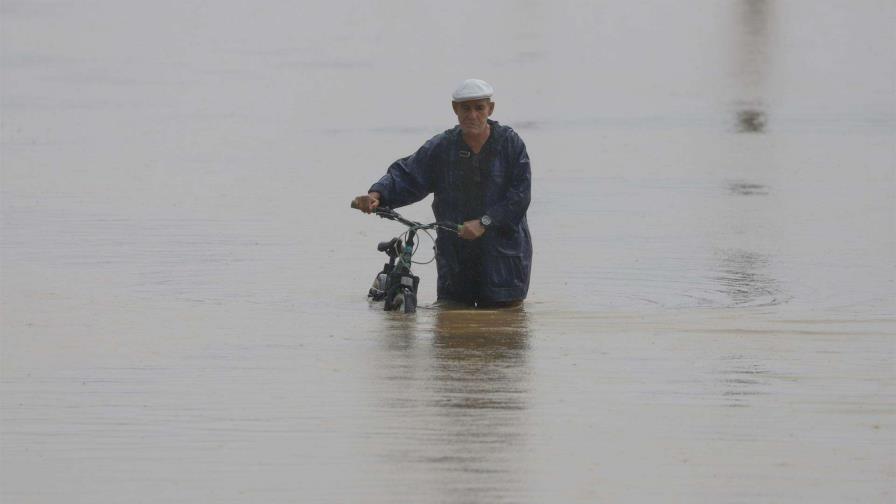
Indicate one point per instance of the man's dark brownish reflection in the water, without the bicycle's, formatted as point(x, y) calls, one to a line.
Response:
point(480, 388)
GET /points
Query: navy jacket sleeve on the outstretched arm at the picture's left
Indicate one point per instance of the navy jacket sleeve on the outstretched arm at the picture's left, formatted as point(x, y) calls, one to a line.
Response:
point(409, 179)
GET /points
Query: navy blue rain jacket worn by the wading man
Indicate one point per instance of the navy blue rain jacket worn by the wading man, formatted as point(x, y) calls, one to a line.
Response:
point(507, 245)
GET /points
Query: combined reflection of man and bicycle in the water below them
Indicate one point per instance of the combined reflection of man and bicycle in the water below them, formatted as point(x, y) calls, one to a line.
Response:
point(453, 412)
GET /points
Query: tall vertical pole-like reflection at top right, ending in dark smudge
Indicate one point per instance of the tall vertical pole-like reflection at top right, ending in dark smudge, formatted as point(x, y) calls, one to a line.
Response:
point(751, 61)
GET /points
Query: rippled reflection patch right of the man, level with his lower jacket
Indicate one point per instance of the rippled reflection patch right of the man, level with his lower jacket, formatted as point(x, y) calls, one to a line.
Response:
point(742, 277)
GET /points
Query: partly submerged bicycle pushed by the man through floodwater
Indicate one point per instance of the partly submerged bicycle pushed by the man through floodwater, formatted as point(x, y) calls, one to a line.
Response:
point(395, 284)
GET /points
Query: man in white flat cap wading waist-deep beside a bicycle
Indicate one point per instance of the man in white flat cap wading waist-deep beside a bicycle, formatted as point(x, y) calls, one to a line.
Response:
point(479, 174)
